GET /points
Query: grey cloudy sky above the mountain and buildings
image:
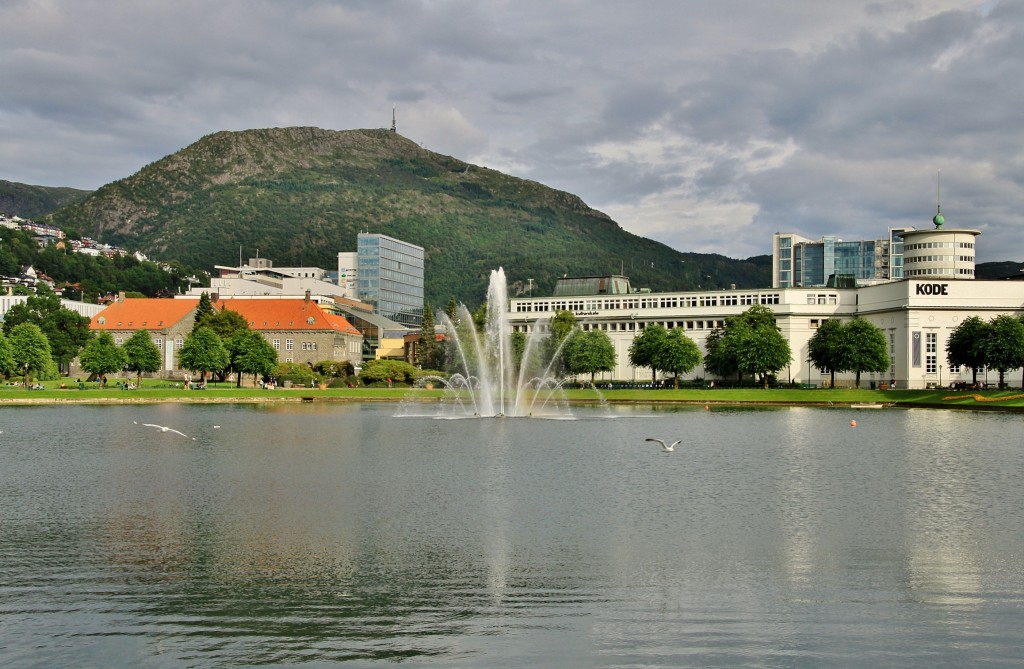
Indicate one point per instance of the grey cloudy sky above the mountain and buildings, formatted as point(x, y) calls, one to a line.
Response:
point(705, 124)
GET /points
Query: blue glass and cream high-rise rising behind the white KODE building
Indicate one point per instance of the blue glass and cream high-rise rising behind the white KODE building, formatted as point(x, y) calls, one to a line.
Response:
point(798, 262)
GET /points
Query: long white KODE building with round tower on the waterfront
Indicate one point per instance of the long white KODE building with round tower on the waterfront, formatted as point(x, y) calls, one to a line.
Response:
point(917, 314)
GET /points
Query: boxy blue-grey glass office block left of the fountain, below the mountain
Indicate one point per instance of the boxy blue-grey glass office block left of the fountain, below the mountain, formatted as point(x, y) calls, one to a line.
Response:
point(391, 277)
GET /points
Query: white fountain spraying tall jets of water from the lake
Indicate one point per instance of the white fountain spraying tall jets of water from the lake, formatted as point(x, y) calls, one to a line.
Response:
point(488, 382)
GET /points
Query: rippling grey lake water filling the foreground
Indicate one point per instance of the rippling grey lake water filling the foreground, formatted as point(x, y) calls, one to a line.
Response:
point(322, 535)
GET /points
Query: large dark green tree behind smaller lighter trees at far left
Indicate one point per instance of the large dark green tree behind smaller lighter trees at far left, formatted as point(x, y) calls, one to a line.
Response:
point(67, 331)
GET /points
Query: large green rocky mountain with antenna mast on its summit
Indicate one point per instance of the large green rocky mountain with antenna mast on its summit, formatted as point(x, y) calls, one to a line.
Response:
point(300, 196)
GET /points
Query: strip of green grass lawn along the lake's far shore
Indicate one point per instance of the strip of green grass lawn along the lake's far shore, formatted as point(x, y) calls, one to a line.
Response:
point(162, 391)
